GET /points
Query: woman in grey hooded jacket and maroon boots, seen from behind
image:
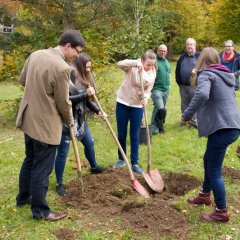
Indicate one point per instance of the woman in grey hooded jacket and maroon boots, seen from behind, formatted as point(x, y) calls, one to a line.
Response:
point(218, 120)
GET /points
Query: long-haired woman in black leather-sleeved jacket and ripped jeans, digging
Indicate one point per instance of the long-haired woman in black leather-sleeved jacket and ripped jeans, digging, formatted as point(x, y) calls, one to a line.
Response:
point(82, 88)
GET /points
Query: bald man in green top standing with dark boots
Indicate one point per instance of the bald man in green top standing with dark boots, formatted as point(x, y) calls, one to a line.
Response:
point(160, 90)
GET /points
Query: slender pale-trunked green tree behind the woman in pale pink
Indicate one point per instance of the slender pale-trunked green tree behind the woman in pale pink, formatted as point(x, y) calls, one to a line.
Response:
point(136, 29)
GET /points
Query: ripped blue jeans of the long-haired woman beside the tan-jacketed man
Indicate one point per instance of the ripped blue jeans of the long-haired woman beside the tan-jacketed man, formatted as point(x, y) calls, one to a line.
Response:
point(63, 148)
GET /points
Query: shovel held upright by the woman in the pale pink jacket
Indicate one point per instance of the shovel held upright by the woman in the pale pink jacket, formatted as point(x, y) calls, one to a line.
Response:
point(152, 177)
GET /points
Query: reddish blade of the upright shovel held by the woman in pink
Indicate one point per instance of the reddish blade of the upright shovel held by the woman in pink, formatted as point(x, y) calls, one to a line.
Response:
point(154, 180)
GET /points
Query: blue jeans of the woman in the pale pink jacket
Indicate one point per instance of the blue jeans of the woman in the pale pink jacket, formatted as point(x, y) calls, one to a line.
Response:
point(134, 115)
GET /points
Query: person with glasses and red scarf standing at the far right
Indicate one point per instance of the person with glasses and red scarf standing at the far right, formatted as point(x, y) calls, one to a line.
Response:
point(231, 59)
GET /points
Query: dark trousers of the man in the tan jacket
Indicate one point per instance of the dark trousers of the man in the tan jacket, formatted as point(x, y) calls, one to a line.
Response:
point(34, 175)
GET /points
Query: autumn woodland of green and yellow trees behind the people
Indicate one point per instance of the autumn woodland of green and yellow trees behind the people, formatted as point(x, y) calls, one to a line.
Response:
point(114, 29)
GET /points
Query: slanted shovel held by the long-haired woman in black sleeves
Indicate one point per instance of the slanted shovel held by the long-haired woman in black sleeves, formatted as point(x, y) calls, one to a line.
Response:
point(138, 187)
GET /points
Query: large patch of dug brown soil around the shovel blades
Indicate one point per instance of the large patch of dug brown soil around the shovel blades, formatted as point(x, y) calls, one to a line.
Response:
point(110, 199)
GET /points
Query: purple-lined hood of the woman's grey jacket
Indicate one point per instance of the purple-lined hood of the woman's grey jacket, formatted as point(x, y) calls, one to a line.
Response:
point(223, 72)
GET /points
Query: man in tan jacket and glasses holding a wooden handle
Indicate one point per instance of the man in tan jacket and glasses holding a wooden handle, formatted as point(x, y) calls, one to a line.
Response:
point(45, 104)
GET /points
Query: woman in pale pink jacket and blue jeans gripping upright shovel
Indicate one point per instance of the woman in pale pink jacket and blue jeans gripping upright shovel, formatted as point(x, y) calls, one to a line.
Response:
point(130, 102)
